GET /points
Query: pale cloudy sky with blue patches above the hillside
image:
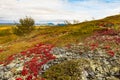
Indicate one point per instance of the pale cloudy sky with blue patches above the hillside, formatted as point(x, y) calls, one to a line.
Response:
point(57, 10)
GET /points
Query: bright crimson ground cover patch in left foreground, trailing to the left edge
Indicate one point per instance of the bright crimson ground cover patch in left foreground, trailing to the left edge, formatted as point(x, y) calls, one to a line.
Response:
point(38, 55)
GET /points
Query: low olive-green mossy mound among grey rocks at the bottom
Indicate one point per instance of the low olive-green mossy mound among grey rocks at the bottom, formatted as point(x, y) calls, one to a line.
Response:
point(68, 70)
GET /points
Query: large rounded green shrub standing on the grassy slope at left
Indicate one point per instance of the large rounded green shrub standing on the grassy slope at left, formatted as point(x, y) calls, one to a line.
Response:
point(25, 26)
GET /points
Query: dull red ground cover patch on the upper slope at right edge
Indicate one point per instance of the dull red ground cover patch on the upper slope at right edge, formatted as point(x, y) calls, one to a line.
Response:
point(108, 40)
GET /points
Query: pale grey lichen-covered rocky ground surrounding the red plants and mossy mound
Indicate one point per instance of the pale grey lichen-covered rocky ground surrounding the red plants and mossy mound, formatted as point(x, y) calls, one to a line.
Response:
point(101, 65)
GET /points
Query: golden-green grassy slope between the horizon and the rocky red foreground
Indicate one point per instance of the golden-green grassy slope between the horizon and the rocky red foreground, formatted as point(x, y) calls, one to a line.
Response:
point(59, 36)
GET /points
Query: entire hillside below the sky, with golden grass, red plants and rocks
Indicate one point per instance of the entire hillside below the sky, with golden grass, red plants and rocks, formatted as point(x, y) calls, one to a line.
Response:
point(90, 42)
